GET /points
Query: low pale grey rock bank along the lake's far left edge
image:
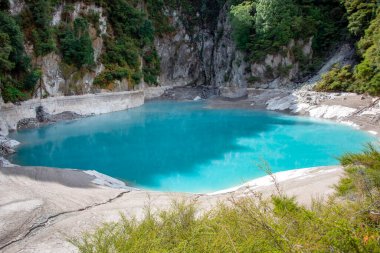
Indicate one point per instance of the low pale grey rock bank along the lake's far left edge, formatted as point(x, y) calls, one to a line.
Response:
point(33, 112)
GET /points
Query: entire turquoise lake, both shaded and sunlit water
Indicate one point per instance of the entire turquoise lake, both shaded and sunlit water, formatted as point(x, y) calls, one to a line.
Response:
point(183, 146)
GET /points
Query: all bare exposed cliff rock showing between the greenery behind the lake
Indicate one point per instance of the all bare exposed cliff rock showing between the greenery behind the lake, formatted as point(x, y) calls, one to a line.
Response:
point(204, 55)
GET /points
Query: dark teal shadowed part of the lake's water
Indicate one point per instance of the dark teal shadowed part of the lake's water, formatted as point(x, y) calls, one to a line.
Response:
point(155, 140)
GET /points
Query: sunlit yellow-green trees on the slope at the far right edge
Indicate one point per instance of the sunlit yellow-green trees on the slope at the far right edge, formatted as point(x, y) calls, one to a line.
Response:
point(364, 25)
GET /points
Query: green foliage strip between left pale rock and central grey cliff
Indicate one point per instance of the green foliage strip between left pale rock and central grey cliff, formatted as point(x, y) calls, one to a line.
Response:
point(133, 35)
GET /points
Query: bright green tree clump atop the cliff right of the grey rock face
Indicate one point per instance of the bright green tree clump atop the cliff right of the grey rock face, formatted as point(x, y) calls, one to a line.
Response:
point(263, 27)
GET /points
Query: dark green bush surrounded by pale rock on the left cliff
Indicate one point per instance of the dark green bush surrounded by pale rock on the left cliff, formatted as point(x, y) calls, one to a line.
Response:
point(76, 44)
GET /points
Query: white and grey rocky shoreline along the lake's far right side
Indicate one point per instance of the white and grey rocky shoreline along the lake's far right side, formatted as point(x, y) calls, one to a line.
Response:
point(358, 111)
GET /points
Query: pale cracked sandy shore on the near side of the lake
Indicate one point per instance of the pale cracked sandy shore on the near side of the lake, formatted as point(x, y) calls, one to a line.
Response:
point(43, 207)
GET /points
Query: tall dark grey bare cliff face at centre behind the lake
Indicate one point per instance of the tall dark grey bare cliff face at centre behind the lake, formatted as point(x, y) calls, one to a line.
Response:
point(210, 58)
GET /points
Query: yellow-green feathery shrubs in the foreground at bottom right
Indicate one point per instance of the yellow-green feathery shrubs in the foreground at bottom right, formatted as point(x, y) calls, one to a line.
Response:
point(347, 222)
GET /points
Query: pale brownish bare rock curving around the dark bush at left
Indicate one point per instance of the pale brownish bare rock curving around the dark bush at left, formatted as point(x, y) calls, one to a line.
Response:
point(60, 79)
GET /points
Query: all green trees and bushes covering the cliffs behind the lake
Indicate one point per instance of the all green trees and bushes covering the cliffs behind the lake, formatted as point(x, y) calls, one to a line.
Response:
point(259, 28)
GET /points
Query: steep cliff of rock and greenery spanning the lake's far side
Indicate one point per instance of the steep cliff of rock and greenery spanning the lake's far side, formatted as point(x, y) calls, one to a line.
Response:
point(56, 47)
